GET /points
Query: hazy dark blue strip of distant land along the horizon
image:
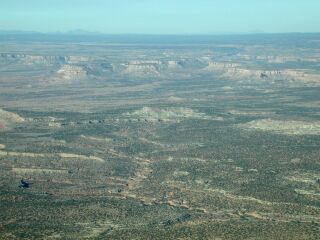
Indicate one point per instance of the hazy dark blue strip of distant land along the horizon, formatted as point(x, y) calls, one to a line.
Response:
point(283, 39)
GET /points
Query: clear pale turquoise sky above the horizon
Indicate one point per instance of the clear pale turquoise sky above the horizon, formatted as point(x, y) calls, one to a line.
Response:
point(161, 16)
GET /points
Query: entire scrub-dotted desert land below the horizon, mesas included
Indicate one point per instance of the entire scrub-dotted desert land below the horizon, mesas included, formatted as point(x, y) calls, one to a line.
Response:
point(154, 137)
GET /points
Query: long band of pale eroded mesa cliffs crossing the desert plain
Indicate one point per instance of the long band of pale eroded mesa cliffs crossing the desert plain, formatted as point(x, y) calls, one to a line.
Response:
point(67, 68)
